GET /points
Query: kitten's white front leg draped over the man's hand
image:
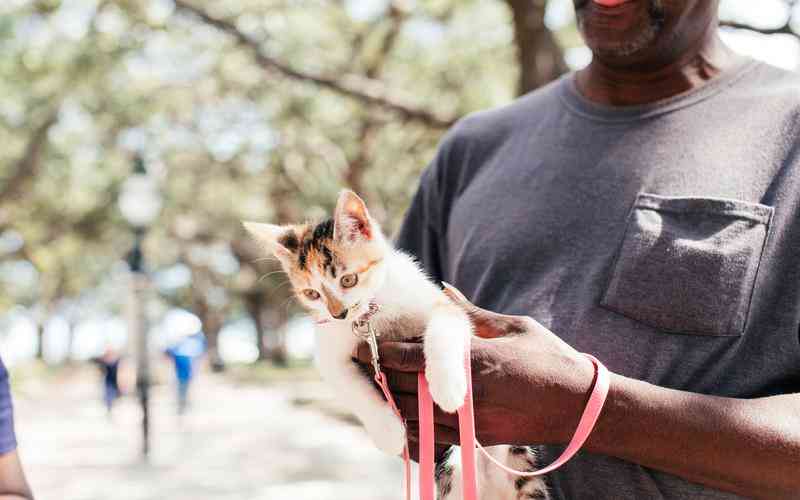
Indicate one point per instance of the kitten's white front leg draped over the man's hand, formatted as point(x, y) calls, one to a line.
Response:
point(446, 340)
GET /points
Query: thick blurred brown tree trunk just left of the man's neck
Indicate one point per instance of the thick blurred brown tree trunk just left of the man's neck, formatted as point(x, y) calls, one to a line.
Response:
point(539, 56)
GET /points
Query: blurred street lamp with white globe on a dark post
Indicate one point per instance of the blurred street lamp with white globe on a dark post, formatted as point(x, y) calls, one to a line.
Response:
point(140, 203)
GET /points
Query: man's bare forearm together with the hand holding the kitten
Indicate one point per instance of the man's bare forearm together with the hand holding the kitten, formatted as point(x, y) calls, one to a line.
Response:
point(530, 387)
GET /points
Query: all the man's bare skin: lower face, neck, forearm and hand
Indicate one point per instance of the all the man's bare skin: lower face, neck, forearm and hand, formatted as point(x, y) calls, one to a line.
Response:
point(644, 51)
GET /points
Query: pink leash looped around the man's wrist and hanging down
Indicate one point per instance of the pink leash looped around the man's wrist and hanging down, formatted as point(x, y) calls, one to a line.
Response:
point(466, 423)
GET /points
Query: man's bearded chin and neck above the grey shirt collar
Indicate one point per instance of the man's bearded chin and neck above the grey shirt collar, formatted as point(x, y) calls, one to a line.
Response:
point(679, 49)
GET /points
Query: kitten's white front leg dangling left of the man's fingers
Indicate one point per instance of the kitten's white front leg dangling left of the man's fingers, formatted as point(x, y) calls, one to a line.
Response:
point(356, 390)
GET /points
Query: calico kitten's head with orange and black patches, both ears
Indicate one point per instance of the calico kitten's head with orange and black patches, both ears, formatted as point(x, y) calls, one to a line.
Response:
point(336, 266)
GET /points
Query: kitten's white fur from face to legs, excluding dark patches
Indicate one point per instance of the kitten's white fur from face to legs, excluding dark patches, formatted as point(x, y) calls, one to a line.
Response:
point(405, 295)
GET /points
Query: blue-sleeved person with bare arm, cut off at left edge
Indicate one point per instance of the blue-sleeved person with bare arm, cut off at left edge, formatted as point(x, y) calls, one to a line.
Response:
point(13, 485)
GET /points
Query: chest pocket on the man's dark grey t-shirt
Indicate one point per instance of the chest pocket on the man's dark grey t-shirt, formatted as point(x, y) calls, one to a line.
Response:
point(688, 265)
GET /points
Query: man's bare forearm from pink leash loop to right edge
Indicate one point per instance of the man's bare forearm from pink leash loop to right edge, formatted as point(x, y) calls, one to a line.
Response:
point(746, 446)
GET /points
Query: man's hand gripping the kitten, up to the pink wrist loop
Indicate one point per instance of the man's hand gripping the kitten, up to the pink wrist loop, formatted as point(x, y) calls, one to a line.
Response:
point(529, 386)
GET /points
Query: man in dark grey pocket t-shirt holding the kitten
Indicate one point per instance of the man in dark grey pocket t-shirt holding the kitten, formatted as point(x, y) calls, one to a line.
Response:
point(646, 210)
